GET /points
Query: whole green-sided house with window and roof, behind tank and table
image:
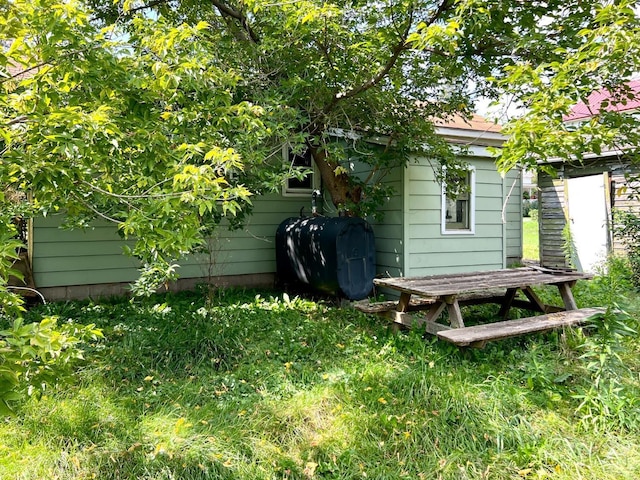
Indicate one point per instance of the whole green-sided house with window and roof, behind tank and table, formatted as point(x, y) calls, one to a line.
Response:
point(423, 232)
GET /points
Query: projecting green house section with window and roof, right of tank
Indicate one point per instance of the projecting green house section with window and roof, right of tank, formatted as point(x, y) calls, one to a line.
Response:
point(425, 233)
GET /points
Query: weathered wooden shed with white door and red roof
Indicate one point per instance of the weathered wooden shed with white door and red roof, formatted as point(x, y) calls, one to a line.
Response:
point(576, 204)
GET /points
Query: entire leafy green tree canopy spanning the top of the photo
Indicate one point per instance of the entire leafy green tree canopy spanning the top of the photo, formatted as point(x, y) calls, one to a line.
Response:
point(165, 117)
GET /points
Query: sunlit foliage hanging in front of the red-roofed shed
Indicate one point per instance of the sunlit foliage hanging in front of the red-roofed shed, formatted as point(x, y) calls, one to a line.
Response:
point(603, 56)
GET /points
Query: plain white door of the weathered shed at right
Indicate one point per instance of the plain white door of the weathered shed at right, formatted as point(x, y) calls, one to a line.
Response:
point(588, 199)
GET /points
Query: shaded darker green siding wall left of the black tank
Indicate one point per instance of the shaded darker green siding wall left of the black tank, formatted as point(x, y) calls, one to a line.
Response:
point(94, 256)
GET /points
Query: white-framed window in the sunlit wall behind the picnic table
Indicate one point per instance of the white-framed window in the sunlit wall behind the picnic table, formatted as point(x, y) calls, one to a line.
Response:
point(458, 212)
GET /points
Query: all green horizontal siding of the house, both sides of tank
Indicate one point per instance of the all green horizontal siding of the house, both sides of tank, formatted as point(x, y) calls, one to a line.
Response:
point(408, 239)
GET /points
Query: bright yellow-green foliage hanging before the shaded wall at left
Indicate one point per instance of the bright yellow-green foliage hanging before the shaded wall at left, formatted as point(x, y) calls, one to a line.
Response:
point(144, 132)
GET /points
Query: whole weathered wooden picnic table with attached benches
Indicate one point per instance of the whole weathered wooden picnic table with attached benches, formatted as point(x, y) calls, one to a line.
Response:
point(495, 286)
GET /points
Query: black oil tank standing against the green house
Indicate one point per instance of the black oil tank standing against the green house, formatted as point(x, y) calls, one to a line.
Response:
point(335, 255)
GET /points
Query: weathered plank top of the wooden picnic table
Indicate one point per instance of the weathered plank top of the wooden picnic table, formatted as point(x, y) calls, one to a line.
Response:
point(454, 284)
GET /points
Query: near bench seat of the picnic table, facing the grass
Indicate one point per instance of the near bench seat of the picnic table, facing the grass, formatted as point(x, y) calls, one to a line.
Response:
point(479, 334)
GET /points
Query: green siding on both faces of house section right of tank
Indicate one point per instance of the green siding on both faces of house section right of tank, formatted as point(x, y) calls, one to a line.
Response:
point(409, 240)
